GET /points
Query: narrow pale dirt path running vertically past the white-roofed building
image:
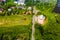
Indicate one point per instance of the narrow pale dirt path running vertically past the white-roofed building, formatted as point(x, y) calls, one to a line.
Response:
point(33, 22)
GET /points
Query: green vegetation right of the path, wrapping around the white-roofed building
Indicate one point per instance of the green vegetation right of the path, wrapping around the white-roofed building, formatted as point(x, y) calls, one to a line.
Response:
point(51, 30)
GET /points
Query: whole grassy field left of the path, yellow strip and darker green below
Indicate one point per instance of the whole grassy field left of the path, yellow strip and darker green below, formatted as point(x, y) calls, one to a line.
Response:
point(15, 26)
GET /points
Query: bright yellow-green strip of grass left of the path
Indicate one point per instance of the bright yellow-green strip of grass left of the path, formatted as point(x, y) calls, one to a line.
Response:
point(14, 20)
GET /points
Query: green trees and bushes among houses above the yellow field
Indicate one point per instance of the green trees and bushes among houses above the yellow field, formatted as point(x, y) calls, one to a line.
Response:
point(8, 5)
